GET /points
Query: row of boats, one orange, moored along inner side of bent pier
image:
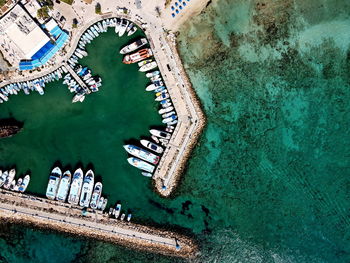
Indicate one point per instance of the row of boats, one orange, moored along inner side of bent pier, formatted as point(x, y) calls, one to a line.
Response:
point(147, 156)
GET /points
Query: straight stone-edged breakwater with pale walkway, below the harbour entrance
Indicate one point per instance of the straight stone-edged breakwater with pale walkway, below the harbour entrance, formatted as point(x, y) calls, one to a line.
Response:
point(63, 217)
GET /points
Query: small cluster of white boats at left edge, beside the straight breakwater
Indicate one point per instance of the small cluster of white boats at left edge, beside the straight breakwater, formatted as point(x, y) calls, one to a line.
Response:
point(8, 181)
